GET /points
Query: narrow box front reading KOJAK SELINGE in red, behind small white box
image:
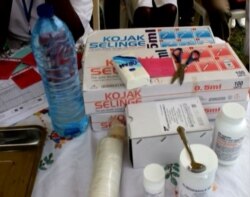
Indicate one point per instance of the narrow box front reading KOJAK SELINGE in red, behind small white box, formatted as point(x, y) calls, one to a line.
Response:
point(115, 101)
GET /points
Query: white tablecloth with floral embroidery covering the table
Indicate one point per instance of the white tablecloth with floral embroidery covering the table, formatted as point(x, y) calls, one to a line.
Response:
point(71, 172)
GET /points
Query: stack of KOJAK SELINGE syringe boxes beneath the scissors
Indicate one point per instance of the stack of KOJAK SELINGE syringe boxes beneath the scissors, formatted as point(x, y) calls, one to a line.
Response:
point(218, 77)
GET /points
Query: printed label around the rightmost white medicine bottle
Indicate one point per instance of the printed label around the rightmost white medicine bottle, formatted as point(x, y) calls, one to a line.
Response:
point(227, 148)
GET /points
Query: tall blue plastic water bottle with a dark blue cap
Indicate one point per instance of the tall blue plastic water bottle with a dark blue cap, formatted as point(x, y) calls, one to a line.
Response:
point(53, 47)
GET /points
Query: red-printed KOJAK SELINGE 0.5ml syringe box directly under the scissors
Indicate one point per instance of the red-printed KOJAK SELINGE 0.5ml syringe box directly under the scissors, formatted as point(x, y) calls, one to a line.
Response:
point(216, 77)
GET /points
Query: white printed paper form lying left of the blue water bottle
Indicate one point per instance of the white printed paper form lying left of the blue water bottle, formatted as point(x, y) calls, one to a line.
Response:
point(17, 104)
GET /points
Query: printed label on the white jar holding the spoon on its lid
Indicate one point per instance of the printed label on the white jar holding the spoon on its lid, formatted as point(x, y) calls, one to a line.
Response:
point(187, 191)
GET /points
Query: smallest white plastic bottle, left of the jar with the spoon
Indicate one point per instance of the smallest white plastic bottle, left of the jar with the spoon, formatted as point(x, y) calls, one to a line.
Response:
point(154, 180)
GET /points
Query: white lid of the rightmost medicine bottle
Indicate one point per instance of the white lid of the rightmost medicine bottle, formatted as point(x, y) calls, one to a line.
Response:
point(233, 112)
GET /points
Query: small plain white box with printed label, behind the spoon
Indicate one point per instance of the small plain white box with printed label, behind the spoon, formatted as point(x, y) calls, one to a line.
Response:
point(152, 134)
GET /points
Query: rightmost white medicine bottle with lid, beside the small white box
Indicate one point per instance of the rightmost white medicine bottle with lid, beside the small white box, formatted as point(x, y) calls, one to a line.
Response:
point(229, 132)
